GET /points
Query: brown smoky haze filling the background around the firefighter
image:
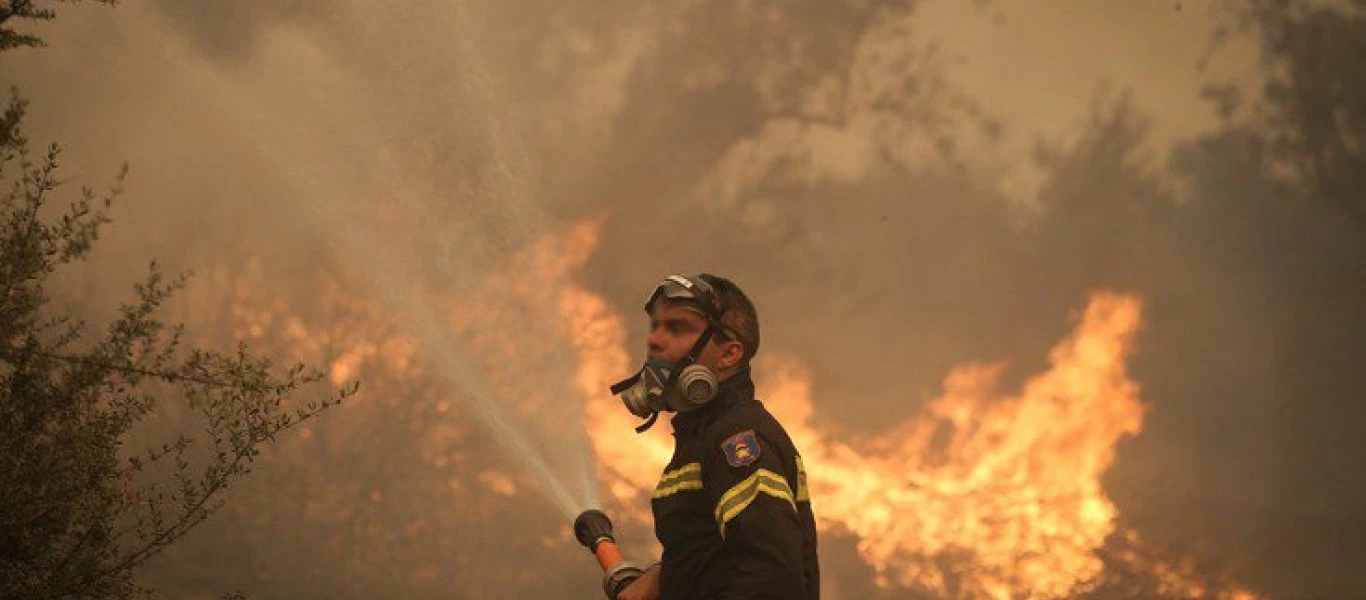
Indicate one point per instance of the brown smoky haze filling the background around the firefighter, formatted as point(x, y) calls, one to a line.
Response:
point(900, 187)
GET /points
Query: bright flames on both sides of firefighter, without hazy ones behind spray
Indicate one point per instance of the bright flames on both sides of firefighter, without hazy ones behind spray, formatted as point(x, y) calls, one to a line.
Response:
point(987, 495)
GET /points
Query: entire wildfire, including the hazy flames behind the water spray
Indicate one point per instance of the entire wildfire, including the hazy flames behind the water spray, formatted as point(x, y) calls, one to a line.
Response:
point(988, 494)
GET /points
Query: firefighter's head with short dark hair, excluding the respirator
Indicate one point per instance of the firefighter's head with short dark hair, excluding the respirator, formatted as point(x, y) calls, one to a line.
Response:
point(682, 308)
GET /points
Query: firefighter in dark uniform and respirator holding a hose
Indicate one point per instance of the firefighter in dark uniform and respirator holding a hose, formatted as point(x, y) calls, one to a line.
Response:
point(731, 509)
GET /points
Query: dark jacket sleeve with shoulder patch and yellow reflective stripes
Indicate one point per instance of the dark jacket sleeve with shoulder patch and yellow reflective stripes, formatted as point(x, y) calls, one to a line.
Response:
point(756, 516)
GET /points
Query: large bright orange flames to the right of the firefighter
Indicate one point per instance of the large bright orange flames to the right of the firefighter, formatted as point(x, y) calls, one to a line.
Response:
point(1010, 485)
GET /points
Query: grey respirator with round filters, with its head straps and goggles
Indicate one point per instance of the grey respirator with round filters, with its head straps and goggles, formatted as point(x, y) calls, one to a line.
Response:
point(684, 386)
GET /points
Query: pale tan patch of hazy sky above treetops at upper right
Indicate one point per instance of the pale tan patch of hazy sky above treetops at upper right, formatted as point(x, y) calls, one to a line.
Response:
point(1036, 66)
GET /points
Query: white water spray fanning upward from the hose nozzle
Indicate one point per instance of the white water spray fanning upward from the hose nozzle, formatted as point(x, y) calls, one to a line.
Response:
point(329, 197)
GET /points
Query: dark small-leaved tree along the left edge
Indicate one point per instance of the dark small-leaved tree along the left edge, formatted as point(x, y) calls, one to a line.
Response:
point(80, 510)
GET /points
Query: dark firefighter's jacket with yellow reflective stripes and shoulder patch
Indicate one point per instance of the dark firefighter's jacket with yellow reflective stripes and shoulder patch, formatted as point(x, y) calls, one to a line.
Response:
point(733, 509)
